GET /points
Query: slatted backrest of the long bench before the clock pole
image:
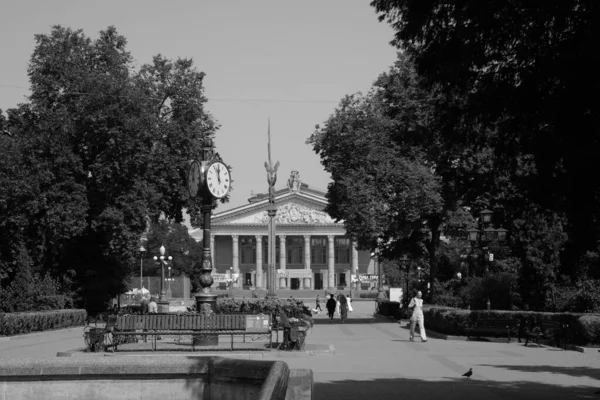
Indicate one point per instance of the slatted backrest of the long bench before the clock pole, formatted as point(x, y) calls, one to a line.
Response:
point(176, 322)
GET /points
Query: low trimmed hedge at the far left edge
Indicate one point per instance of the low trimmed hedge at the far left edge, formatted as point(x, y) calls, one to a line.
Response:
point(25, 322)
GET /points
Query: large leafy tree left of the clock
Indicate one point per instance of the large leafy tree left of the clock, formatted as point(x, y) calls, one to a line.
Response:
point(119, 141)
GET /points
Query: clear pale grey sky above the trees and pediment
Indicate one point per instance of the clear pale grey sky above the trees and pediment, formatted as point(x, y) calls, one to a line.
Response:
point(291, 61)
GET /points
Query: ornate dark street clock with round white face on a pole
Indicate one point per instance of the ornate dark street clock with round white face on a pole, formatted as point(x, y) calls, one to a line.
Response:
point(210, 179)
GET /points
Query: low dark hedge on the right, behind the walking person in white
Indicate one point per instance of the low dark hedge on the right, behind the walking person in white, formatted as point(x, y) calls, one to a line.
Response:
point(584, 329)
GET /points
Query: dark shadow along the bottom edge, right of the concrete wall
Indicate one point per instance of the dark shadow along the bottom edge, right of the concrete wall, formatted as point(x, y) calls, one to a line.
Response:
point(451, 389)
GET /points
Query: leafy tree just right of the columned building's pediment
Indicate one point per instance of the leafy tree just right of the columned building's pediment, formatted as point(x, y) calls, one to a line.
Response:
point(405, 127)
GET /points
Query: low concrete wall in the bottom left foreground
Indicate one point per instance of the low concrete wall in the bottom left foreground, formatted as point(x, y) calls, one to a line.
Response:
point(150, 377)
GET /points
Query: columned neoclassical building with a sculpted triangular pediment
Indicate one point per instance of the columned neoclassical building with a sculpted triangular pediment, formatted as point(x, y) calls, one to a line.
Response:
point(313, 251)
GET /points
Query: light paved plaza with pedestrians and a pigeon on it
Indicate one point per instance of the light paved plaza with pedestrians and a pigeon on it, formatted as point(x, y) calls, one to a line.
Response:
point(374, 360)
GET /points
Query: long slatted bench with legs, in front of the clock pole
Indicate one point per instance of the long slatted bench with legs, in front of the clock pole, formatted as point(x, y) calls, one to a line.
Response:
point(197, 326)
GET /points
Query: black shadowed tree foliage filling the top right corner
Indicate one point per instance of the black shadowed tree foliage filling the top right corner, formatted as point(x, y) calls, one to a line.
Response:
point(528, 69)
